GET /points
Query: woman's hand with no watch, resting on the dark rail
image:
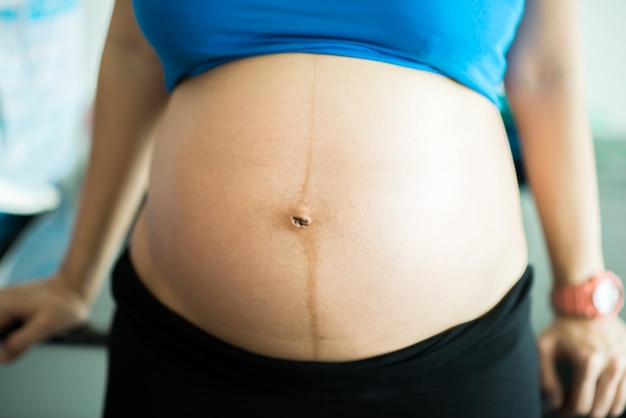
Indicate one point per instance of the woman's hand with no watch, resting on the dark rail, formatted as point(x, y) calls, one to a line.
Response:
point(43, 309)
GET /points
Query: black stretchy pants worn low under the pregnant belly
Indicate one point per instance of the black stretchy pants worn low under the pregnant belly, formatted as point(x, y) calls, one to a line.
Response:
point(160, 365)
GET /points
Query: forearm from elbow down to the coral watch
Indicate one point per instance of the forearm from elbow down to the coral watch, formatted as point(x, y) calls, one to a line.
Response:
point(560, 163)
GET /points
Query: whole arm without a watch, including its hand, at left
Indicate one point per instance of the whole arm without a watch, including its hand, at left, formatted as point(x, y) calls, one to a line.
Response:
point(129, 98)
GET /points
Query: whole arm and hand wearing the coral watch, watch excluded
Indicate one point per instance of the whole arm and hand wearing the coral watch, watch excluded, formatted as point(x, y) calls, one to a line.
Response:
point(545, 87)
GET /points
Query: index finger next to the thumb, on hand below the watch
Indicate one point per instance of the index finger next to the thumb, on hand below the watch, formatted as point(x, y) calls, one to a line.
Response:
point(585, 377)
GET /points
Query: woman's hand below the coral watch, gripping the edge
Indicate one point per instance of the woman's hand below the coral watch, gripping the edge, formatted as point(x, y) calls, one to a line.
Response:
point(596, 351)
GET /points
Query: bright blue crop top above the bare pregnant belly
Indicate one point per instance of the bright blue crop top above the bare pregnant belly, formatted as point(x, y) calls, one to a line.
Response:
point(465, 40)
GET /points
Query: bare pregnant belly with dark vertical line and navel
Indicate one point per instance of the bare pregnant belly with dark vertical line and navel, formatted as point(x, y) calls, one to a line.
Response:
point(313, 207)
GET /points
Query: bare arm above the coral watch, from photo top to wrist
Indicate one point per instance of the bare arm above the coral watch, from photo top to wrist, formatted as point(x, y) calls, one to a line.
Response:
point(545, 87)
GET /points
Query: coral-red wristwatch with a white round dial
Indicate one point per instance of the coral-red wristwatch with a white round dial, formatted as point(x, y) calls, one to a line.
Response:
point(602, 296)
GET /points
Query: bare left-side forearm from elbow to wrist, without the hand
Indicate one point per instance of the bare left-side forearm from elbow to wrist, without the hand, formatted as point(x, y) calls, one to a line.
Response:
point(128, 99)
